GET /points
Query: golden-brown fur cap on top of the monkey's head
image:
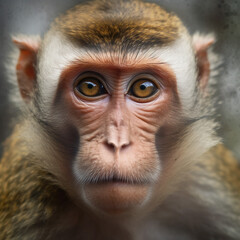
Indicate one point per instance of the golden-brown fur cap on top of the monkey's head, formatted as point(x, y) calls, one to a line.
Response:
point(125, 24)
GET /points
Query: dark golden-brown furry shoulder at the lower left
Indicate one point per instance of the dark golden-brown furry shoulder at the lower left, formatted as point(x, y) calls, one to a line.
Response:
point(28, 197)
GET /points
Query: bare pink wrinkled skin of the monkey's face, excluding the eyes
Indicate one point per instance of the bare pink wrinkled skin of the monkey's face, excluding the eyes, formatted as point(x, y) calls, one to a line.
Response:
point(117, 163)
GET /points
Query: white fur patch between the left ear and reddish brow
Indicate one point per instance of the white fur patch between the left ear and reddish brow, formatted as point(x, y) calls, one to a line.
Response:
point(57, 53)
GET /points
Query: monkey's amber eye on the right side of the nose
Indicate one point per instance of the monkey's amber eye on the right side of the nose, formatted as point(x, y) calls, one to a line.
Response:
point(143, 88)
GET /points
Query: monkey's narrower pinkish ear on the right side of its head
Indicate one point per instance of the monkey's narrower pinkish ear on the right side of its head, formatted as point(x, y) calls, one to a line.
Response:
point(201, 44)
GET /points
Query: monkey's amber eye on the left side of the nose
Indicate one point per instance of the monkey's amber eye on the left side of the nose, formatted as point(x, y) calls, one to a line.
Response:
point(90, 87)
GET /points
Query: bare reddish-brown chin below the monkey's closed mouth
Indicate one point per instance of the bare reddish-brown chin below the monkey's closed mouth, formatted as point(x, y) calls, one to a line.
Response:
point(116, 198)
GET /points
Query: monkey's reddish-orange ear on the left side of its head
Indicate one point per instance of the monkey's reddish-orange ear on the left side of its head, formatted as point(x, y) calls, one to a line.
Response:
point(25, 68)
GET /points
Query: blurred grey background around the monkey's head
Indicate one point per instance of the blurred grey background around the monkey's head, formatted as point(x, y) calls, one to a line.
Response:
point(221, 17)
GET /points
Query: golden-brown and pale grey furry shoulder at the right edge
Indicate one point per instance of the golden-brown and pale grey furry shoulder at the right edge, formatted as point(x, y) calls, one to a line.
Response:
point(214, 190)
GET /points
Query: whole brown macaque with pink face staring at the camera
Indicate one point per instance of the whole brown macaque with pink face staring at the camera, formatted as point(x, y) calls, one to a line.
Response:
point(116, 137)
